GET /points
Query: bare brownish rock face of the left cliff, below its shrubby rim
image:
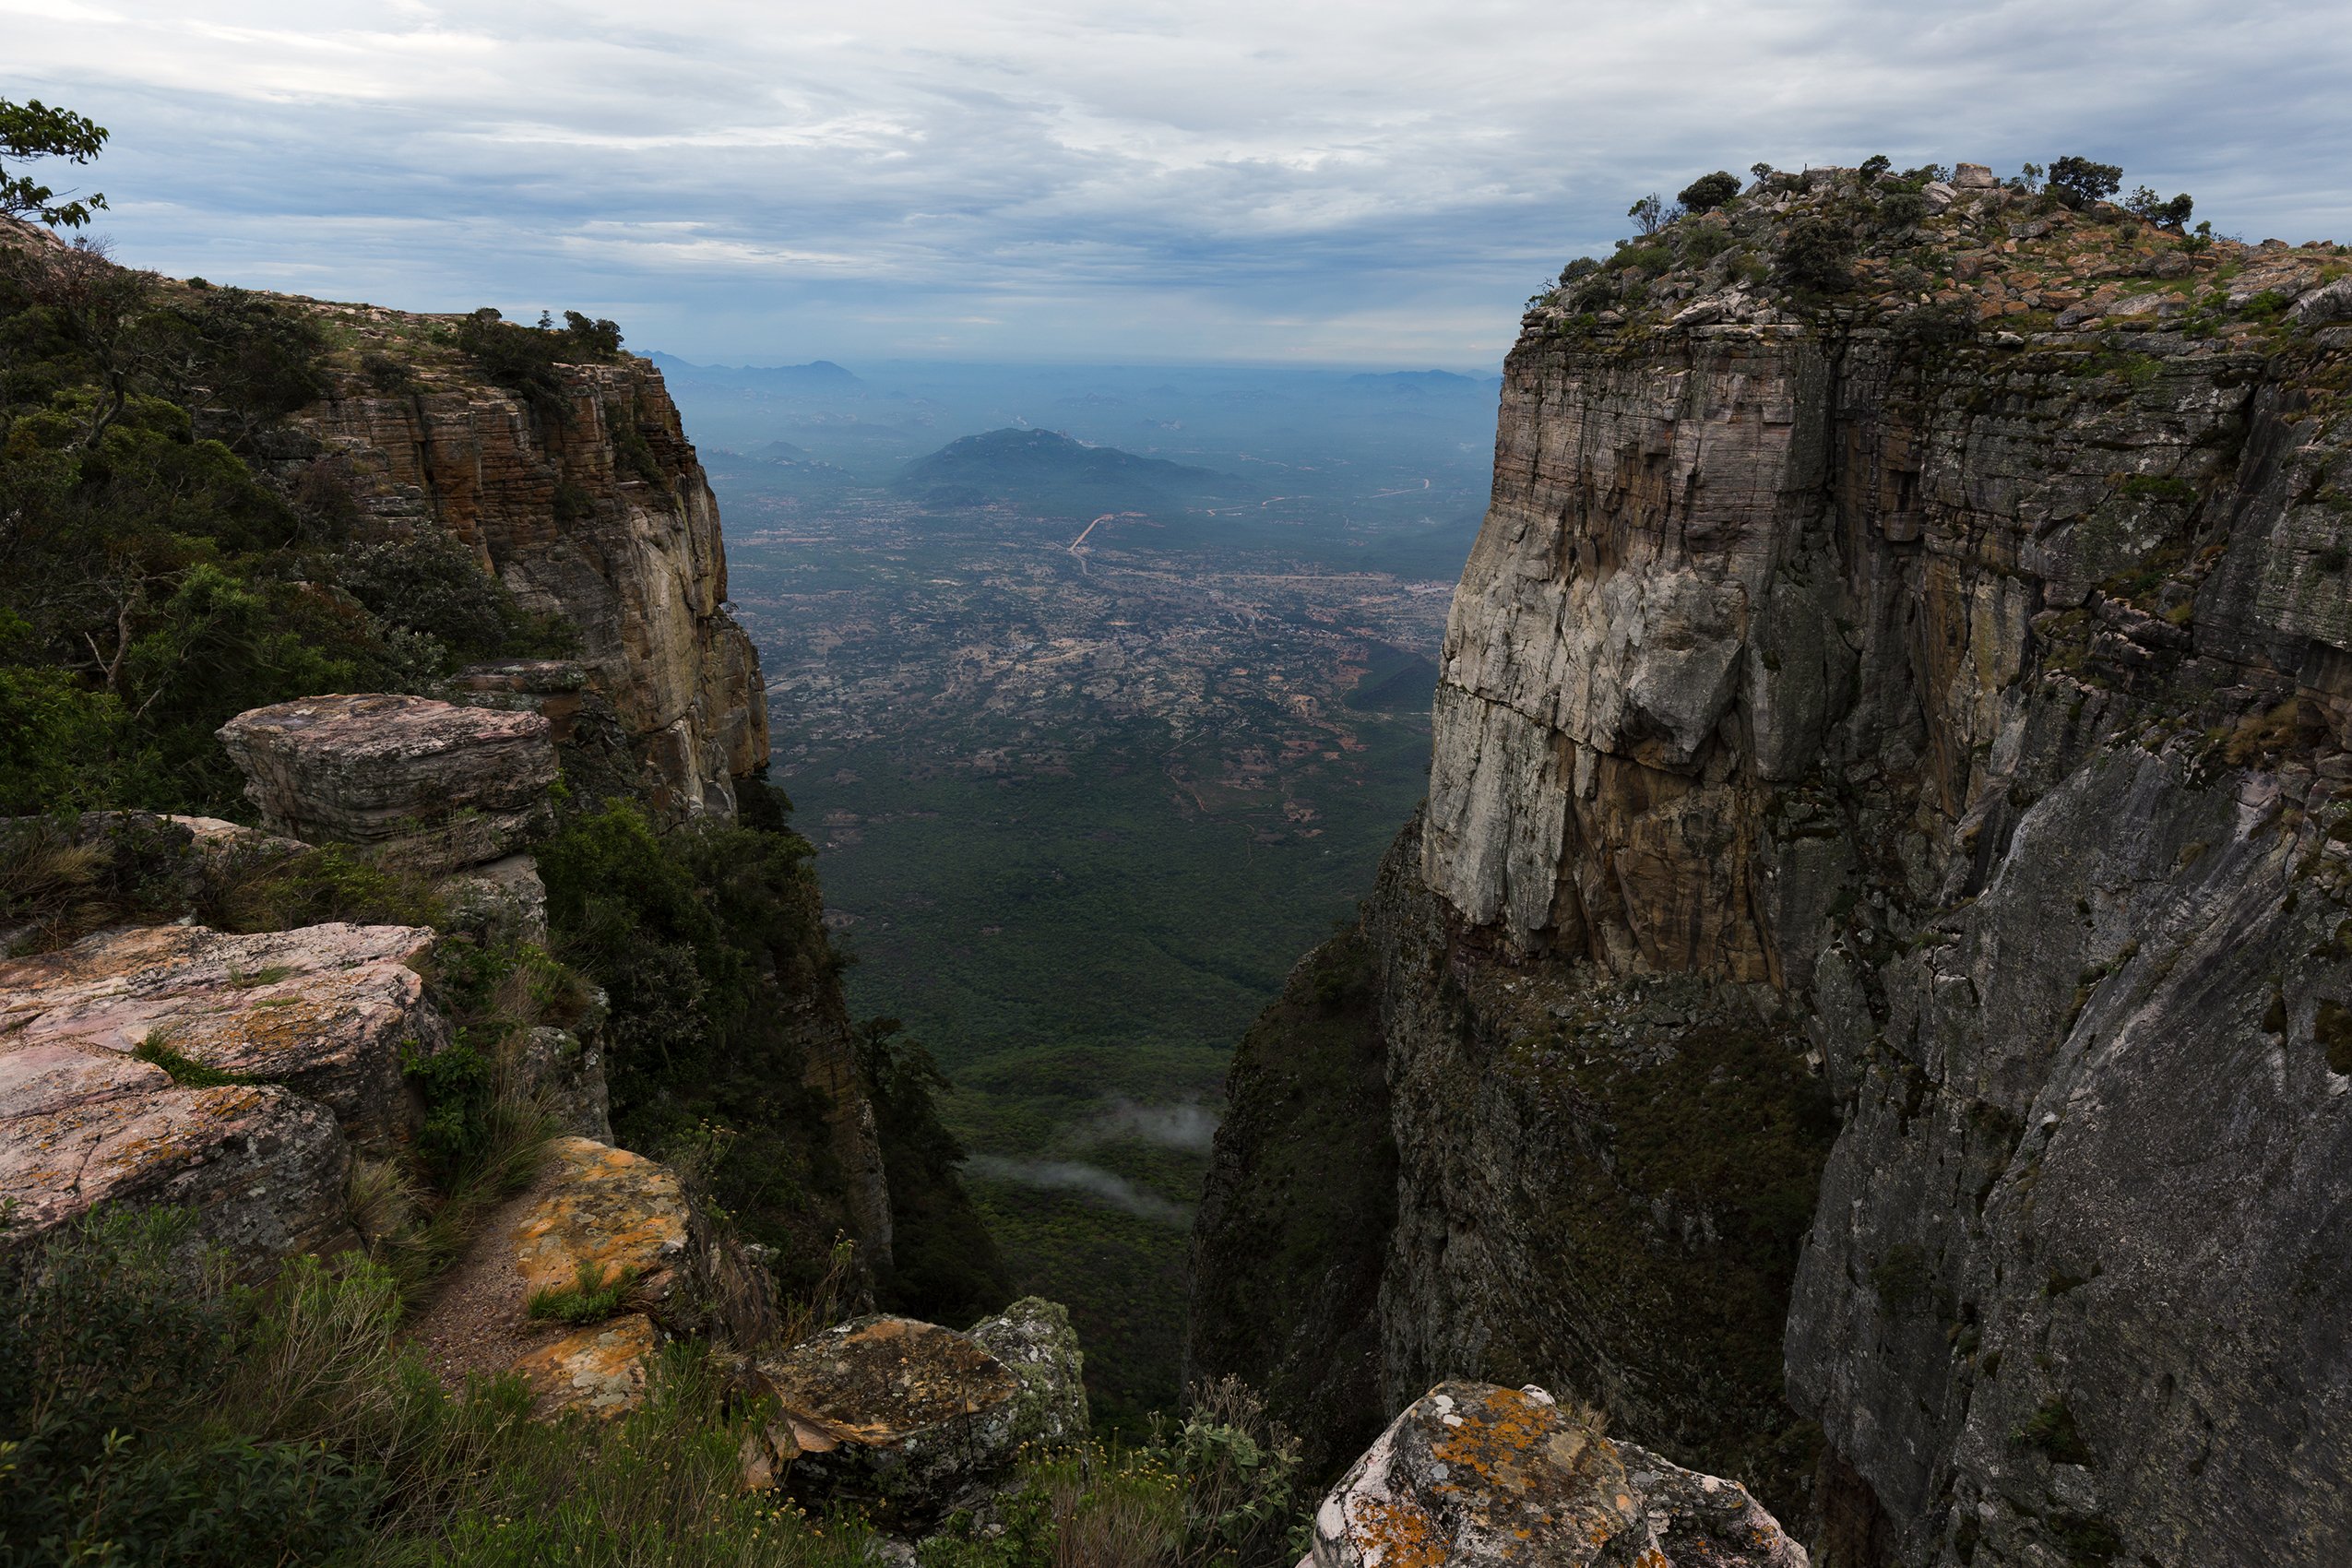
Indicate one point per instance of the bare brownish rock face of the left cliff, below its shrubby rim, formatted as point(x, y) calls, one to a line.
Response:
point(589, 504)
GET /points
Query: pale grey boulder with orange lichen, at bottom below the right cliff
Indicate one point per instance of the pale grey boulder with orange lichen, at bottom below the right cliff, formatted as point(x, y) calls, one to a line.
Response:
point(1478, 1475)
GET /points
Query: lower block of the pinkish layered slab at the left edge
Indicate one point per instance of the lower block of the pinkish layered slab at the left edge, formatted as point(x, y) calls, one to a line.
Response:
point(86, 1125)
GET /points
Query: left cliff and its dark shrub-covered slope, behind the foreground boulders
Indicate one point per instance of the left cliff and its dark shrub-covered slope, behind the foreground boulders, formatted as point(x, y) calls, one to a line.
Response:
point(225, 500)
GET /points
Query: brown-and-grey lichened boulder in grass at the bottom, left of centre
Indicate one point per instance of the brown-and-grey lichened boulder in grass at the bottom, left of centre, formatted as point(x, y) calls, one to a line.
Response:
point(914, 1419)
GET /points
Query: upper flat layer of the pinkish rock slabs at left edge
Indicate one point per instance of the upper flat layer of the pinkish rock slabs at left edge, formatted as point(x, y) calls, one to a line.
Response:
point(326, 1012)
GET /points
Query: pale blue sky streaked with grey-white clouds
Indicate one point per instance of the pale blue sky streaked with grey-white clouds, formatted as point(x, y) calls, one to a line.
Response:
point(1299, 182)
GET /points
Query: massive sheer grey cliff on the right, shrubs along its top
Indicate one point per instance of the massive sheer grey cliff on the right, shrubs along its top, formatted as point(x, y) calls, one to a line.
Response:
point(1904, 674)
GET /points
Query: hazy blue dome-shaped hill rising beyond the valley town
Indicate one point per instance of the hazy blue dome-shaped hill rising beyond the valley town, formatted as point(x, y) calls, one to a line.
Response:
point(1050, 471)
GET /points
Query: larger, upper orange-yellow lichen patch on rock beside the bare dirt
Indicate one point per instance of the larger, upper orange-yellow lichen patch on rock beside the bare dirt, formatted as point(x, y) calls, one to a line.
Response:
point(608, 1209)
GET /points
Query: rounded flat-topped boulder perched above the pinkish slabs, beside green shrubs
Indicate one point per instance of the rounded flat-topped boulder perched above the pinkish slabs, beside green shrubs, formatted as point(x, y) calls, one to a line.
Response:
point(443, 784)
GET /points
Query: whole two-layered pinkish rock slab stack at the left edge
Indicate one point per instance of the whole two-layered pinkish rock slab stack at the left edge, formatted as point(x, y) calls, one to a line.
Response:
point(290, 1045)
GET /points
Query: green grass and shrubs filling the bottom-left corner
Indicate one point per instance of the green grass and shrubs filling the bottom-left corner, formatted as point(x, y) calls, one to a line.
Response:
point(159, 1414)
